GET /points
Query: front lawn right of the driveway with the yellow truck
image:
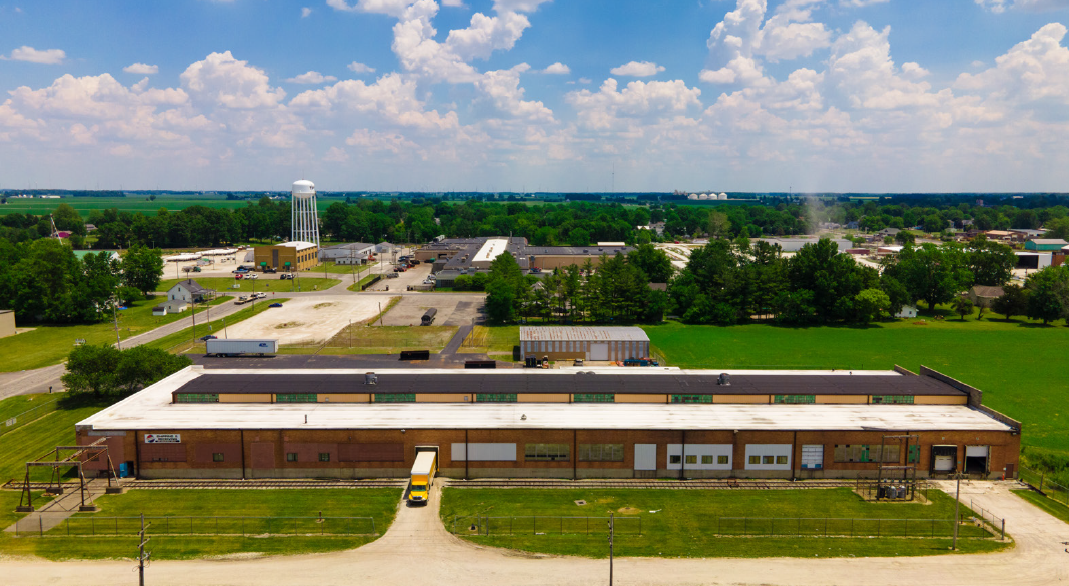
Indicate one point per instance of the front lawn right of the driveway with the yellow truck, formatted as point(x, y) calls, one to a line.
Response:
point(686, 522)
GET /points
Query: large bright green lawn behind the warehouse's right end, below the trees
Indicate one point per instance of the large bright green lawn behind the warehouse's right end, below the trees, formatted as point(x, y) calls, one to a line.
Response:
point(1019, 366)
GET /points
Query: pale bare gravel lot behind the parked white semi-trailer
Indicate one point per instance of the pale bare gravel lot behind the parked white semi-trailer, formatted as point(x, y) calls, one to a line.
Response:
point(313, 319)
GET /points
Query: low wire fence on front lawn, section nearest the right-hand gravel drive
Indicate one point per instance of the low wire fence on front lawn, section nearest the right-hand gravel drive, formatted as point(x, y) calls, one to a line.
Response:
point(752, 527)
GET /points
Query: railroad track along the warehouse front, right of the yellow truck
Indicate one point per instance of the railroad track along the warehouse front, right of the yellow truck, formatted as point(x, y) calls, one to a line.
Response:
point(664, 485)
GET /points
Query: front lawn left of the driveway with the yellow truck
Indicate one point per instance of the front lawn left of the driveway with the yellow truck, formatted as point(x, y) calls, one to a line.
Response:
point(171, 543)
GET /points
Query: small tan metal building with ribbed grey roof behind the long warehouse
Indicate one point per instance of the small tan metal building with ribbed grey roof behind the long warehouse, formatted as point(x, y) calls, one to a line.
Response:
point(590, 344)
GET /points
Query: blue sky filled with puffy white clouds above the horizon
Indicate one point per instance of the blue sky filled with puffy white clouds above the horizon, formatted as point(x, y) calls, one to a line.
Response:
point(751, 96)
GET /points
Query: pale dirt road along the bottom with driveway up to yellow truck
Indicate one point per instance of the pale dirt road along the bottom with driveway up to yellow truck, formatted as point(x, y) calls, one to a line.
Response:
point(419, 549)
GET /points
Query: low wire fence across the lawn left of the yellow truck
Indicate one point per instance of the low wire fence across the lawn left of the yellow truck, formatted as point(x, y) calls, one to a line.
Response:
point(260, 527)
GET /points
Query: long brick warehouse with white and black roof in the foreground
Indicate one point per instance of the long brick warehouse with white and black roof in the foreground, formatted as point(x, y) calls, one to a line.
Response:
point(609, 423)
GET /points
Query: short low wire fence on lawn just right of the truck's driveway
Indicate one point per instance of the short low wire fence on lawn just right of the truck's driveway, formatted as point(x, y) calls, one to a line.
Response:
point(485, 526)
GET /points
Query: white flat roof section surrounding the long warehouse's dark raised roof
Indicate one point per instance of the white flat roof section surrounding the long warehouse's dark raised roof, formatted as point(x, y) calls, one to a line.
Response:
point(152, 410)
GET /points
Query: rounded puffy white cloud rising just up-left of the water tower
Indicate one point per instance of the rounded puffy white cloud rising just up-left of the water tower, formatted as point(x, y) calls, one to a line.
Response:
point(224, 81)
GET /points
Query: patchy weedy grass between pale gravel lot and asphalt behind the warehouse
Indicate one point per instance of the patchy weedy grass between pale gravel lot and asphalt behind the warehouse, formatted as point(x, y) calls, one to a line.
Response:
point(368, 340)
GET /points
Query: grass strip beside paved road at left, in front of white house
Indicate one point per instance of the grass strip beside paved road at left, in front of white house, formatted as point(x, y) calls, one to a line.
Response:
point(51, 345)
